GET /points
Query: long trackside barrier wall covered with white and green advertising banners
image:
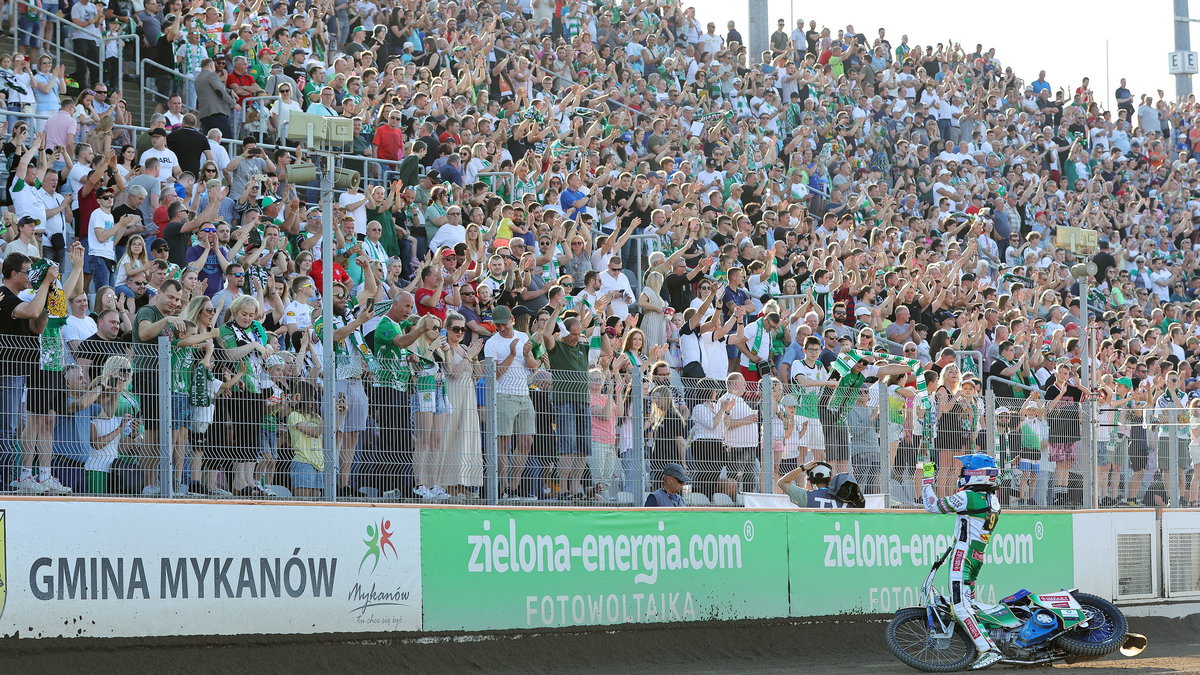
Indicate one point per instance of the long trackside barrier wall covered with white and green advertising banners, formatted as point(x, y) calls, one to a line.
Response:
point(131, 569)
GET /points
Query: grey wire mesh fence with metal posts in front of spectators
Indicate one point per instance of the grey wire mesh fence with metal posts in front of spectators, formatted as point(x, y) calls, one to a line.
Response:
point(232, 414)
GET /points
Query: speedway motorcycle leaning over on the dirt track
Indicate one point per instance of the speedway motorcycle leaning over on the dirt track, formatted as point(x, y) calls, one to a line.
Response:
point(1029, 629)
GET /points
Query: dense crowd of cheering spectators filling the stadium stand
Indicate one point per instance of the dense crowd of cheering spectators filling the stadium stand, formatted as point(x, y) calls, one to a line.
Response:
point(680, 211)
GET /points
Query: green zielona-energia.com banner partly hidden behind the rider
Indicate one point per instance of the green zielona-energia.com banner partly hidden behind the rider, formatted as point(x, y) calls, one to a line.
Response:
point(847, 563)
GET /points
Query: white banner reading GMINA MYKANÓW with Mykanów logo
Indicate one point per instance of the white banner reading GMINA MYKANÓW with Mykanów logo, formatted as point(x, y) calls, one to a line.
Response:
point(113, 570)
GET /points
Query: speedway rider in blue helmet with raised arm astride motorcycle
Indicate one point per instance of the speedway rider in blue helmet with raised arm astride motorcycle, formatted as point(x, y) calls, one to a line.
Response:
point(979, 510)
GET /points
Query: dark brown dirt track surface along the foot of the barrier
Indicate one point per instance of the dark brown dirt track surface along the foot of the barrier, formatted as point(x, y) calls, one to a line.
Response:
point(831, 648)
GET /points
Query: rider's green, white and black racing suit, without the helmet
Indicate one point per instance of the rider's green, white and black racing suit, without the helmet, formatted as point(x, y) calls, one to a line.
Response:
point(977, 516)
